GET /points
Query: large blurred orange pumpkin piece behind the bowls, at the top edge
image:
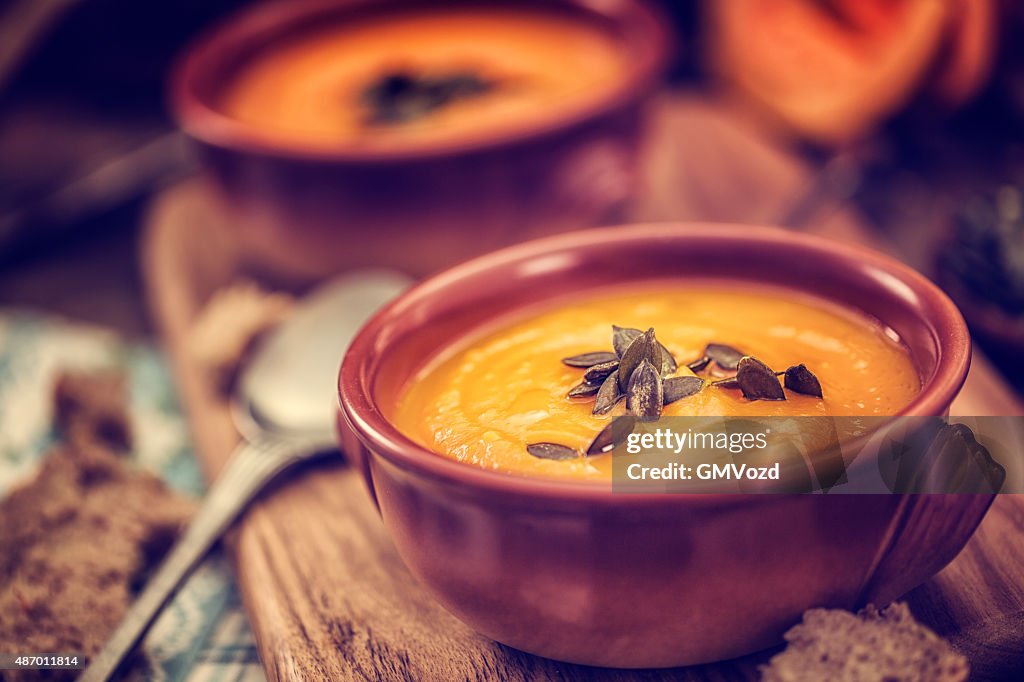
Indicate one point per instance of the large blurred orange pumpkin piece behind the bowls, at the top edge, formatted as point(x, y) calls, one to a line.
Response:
point(831, 70)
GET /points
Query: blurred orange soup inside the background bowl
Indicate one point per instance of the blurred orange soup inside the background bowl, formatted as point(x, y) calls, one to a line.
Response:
point(531, 63)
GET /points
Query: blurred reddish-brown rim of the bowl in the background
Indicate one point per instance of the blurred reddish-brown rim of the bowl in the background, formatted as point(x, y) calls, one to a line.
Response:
point(239, 31)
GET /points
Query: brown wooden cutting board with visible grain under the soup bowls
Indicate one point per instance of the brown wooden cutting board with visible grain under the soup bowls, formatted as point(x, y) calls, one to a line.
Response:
point(328, 596)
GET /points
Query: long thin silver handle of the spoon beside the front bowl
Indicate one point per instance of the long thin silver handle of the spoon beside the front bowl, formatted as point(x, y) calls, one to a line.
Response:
point(250, 468)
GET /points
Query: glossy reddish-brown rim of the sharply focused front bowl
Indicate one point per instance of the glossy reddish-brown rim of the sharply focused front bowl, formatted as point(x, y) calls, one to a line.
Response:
point(359, 408)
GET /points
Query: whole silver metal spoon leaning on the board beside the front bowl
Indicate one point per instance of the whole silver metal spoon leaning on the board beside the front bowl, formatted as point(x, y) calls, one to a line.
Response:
point(284, 409)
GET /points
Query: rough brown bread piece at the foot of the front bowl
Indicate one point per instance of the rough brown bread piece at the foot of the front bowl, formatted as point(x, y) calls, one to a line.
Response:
point(882, 646)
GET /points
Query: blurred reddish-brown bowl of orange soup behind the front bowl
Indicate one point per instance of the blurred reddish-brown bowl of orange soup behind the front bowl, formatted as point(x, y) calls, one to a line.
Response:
point(313, 206)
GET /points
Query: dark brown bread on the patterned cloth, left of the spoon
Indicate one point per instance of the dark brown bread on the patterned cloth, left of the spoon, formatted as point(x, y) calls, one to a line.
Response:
point(78, 540)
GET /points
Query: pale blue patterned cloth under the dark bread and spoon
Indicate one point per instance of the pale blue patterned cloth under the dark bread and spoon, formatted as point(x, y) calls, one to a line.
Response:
point(203, 636)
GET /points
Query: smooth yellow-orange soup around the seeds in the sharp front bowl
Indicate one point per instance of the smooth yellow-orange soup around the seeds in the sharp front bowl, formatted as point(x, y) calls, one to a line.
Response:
point(483, 402)
